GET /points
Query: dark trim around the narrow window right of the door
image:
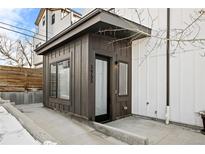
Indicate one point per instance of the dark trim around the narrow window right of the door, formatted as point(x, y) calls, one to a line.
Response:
point(118, 63)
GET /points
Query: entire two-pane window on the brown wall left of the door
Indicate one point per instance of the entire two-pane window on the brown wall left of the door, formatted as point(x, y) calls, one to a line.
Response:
point(60, 80)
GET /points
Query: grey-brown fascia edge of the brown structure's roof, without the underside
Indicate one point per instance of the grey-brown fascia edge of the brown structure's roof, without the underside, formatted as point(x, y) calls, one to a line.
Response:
point(106, 17)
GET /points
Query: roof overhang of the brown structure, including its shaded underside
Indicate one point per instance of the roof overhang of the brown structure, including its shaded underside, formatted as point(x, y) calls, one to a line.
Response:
point(97, 21)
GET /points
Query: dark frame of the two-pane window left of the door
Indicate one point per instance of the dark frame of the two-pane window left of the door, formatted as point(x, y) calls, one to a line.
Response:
point(56, 64)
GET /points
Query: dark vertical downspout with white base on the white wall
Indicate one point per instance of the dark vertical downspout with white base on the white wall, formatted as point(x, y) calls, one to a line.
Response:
point(167, 115)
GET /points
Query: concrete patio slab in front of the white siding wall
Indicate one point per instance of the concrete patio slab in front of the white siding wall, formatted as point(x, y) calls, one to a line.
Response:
point(158, 132)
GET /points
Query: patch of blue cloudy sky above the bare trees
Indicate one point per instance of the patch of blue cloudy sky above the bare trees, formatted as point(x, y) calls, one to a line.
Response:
point(20, 17)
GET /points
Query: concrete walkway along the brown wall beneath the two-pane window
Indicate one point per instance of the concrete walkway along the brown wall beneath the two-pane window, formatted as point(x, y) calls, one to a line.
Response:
point(64, 129)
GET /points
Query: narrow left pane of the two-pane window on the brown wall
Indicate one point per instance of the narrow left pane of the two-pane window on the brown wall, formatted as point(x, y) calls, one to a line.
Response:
point(53, 80)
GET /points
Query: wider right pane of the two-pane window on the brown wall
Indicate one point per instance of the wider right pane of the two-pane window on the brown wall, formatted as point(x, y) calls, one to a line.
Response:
point(63, 80)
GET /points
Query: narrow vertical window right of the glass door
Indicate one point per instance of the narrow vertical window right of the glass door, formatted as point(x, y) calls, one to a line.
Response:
point(123, 78)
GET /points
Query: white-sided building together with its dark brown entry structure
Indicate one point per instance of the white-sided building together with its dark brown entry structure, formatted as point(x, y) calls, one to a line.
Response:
point(137, 80)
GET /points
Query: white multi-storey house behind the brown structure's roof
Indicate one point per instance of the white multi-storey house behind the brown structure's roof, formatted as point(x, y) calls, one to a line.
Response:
point(49, 23)
